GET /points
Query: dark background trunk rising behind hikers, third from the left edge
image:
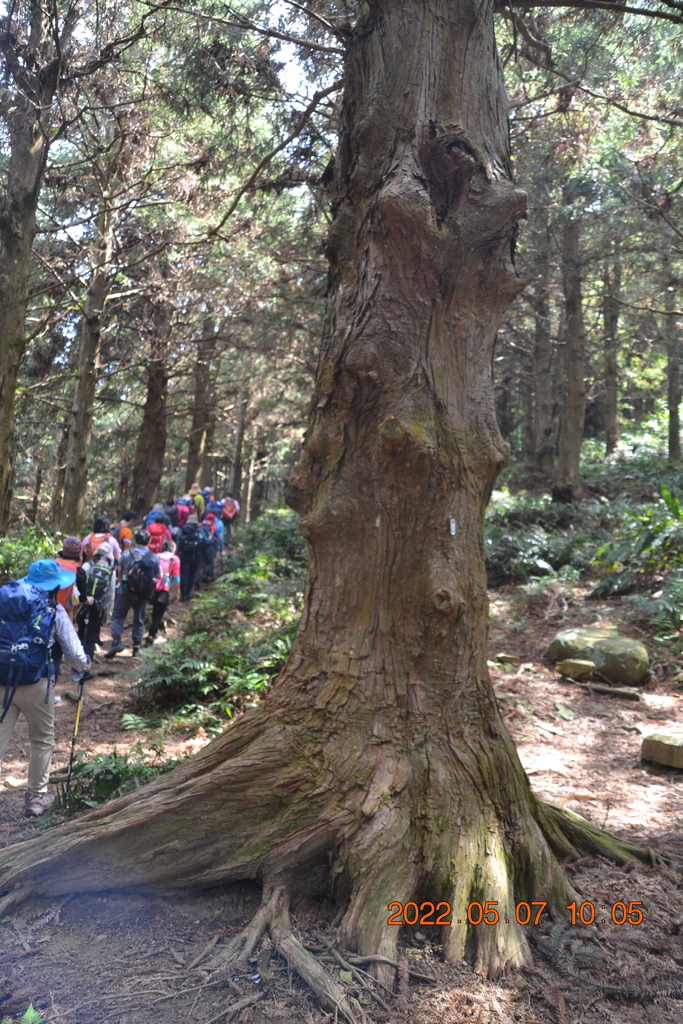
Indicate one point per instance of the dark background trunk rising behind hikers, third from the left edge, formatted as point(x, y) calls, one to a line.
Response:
point(151, 448)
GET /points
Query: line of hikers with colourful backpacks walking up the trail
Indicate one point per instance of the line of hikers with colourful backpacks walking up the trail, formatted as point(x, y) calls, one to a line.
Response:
point(56, 613)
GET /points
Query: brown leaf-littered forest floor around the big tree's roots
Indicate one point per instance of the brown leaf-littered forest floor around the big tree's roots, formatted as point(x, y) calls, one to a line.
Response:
point(146, 959)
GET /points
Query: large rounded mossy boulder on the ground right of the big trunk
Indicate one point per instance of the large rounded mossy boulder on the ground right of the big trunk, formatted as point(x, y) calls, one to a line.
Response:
point(620, 660)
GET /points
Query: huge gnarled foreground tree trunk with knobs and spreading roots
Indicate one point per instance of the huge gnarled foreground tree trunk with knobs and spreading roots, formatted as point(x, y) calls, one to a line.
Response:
point(379, 767)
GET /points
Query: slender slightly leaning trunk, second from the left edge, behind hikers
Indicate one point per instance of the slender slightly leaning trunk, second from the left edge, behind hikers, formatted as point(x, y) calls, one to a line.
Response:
point(82, 413)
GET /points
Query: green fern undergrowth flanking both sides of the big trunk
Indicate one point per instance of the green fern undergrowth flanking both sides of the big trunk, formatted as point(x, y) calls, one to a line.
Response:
point(624, 538)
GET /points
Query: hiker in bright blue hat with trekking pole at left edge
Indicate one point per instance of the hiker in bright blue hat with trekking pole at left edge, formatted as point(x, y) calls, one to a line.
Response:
point(31, 622)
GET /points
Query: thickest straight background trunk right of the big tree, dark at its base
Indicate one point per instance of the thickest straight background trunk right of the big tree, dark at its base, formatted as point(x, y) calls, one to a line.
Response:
point(568, 480)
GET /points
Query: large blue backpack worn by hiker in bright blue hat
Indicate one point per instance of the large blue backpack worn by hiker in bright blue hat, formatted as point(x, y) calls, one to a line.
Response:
point(26, 624)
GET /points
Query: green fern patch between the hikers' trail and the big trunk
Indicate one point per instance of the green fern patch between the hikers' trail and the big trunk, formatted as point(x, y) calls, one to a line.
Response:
point(238, 635)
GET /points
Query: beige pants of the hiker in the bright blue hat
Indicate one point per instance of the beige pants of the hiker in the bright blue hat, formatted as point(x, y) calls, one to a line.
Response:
point(40, 718)
